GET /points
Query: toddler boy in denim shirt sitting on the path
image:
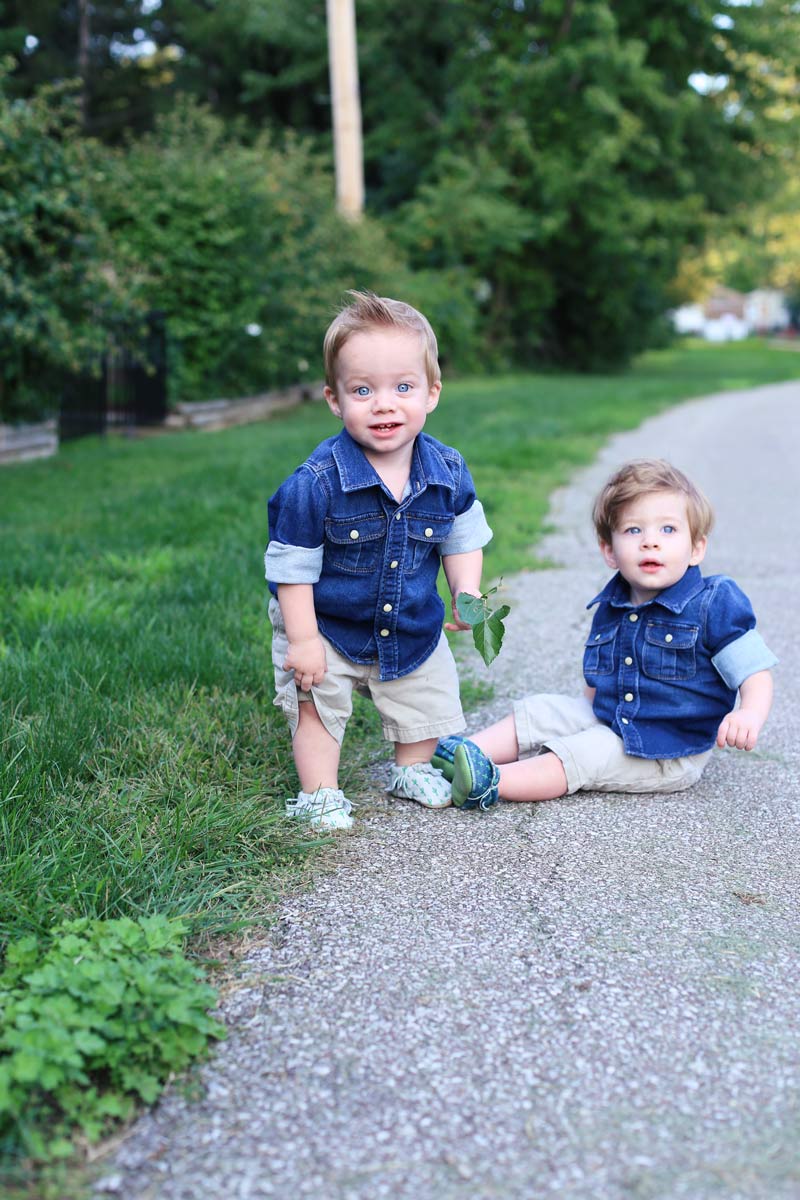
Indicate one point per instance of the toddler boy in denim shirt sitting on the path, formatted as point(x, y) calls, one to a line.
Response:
point(667, 655)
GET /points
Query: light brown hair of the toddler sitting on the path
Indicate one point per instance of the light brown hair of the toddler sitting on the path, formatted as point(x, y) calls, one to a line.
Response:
point(643, 477)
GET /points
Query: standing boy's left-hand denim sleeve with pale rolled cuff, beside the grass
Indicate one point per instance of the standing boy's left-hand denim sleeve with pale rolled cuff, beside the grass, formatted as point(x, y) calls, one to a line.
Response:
point(297, 515)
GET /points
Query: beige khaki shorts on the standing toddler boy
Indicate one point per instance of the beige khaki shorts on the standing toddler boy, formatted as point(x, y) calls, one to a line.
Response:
point(422, 705)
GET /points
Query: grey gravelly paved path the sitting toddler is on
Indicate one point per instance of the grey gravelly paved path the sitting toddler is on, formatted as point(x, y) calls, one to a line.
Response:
point(594, 998)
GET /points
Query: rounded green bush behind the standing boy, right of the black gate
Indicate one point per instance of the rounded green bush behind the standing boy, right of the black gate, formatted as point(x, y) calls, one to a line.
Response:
point(242, 248)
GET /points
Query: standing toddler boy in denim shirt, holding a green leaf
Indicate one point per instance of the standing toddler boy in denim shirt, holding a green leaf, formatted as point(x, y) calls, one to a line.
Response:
point(358, 533)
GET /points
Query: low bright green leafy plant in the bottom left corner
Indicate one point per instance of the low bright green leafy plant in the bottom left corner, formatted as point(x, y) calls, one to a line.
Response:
point(94, 1021)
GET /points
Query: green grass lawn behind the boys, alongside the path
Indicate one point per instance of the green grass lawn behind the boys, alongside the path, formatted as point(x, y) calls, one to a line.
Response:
point(143, 767)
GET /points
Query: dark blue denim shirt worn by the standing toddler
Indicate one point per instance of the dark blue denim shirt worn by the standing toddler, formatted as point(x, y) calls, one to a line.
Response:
point(374, 562)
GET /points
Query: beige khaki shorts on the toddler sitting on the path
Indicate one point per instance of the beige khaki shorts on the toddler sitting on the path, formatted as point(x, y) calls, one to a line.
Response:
point(593, 755)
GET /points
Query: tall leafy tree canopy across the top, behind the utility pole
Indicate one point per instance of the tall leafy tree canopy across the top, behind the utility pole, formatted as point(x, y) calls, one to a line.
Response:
point(563, 157)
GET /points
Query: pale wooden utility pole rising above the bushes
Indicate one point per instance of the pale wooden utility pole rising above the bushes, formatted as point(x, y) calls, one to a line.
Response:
point(347, 107)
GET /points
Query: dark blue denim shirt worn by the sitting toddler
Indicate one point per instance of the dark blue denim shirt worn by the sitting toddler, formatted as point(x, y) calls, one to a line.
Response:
point(669, 671)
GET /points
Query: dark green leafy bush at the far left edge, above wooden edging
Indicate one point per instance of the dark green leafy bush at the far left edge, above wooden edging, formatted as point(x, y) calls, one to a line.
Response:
point(58, 299)
